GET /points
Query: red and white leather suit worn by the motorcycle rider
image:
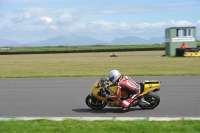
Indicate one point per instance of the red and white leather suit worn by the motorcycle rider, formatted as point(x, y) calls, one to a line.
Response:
point(128, 85)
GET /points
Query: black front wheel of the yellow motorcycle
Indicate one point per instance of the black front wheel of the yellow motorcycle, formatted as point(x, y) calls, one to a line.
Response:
point(94, 103)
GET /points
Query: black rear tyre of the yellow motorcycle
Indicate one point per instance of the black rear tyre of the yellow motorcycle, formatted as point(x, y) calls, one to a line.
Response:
point(152, 98)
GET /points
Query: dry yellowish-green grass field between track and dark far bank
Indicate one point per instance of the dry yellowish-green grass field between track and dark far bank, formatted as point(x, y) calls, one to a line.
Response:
point(140, 63)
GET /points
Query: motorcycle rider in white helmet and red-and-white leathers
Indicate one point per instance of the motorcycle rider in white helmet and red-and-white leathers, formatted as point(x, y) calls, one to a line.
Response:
point(124, 83)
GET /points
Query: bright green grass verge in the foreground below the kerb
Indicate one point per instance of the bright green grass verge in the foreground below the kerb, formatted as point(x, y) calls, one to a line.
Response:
point(74, 126)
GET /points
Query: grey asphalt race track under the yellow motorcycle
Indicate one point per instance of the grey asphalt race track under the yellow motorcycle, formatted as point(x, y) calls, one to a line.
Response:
point(65, 97)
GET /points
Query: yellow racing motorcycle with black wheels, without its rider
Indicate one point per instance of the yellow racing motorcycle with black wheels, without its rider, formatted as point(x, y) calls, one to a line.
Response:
point(148, 98)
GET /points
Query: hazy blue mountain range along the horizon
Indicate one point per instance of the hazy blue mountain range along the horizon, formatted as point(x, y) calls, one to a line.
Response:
point(74, 40)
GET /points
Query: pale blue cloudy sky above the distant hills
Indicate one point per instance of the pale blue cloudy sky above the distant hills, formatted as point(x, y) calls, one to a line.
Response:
point(27, 21)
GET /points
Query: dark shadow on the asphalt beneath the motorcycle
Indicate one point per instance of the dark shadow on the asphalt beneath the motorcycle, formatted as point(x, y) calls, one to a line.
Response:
point(105, 110)
